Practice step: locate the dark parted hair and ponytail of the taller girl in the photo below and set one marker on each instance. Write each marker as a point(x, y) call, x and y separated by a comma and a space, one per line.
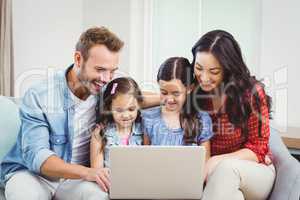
point(181, 69)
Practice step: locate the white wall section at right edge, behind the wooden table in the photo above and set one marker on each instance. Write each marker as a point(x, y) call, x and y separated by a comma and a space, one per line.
point(280, 45)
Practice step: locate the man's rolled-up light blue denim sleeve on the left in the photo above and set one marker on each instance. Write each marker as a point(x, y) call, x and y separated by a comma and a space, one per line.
point(34, 132)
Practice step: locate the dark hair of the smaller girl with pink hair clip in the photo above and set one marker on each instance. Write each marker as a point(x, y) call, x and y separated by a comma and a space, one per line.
point(123, 85)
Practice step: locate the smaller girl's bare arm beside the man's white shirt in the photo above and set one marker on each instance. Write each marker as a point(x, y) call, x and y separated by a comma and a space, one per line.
point(96, 150)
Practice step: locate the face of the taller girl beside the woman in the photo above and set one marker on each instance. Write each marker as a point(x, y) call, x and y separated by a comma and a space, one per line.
point(172, 94)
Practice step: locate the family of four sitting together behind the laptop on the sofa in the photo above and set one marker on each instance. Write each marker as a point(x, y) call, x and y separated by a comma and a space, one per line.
point(62, 150)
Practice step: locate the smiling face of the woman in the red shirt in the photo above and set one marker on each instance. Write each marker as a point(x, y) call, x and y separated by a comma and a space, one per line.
point(208, 71)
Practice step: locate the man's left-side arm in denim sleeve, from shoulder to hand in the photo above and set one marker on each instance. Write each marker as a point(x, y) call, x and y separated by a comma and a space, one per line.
point(36, 152)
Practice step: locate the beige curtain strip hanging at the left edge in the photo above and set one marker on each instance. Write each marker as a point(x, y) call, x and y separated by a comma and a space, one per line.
point(6, 49)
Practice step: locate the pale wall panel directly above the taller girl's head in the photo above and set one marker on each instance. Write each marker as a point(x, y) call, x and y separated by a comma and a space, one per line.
point(176, 27)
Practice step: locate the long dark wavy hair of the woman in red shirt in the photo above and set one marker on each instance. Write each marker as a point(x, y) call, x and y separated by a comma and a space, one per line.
point(236, 78)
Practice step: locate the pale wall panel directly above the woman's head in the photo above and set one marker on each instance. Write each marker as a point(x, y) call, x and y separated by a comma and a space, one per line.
point(242, 18)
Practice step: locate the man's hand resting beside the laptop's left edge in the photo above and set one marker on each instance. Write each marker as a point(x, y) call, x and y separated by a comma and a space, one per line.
point(100, 176)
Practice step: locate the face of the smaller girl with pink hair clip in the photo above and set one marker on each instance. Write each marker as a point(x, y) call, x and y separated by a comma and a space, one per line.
point(124, 110)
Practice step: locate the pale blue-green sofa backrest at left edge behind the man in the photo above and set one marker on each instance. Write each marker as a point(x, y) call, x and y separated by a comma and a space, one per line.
point(9, 124)
